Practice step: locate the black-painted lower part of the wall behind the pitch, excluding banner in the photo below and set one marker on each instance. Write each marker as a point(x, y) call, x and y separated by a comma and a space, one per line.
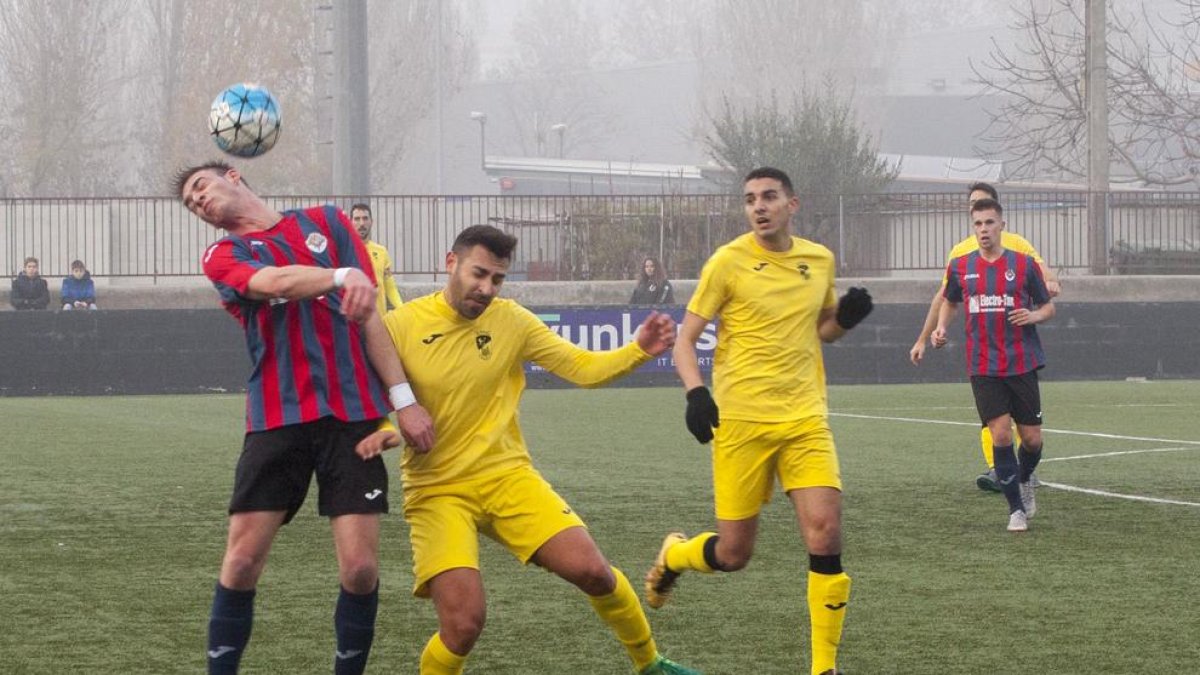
point(203, 351)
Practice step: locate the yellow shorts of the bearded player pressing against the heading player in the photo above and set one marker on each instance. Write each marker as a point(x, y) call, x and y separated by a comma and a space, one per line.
point(518, 509)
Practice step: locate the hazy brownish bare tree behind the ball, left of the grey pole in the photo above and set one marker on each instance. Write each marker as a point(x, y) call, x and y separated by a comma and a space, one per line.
point(190, 52)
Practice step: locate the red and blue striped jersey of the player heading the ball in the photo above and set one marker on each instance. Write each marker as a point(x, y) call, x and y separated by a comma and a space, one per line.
point(309, 361)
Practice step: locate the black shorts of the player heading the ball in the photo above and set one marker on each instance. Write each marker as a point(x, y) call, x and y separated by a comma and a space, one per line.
point(277, 468)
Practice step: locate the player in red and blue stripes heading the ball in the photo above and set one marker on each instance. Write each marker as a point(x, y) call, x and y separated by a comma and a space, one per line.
point(301, 285)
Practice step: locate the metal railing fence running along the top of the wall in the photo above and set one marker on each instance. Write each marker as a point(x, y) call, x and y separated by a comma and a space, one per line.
point(605, 238)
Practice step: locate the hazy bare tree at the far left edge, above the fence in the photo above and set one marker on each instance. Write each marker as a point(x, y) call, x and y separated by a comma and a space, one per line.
point(59, 70)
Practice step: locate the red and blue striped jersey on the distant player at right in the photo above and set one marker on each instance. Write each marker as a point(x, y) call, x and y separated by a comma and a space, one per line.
point(989, 291)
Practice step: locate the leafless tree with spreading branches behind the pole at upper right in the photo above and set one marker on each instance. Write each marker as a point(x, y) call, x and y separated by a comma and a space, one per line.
point(1154, 63)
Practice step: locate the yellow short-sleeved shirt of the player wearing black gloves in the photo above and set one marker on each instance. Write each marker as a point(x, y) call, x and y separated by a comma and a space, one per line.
point(769, 365)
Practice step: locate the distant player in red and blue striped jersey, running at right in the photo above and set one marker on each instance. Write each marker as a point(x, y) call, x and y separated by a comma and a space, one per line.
point(1006, 297)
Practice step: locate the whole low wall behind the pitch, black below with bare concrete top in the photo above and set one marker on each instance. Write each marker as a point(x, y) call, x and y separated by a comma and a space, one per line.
point(1107, 328)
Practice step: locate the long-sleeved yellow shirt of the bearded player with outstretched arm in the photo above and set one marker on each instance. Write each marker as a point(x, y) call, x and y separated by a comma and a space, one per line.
point(470, 377)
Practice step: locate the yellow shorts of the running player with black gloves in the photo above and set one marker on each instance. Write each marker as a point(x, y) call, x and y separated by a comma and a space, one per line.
point(748, 456)
